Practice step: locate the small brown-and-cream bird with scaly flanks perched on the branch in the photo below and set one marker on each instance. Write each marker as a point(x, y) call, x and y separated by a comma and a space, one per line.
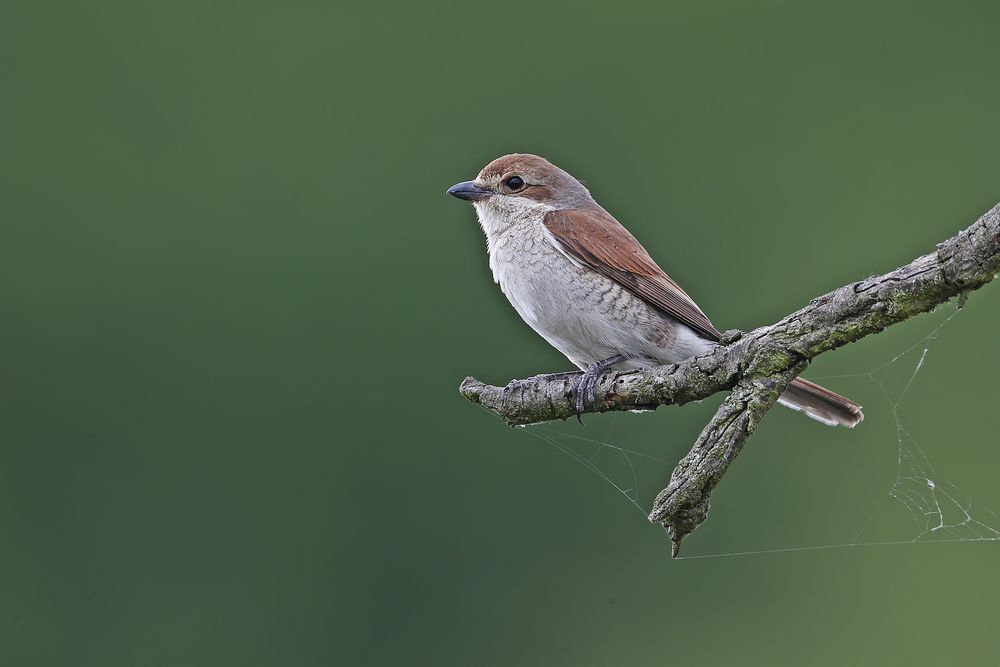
point(584, 283)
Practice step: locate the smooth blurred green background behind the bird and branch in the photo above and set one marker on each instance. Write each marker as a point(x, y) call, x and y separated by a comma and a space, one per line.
point(236, 306)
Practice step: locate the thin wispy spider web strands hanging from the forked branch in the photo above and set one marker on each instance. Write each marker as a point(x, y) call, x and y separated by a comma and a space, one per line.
point(938, 510)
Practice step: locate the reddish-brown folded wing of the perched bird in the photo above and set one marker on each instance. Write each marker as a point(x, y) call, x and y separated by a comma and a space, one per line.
point(595, 239)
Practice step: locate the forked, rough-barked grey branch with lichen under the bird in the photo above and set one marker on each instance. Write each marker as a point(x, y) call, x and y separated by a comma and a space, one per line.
point(756, 366)
